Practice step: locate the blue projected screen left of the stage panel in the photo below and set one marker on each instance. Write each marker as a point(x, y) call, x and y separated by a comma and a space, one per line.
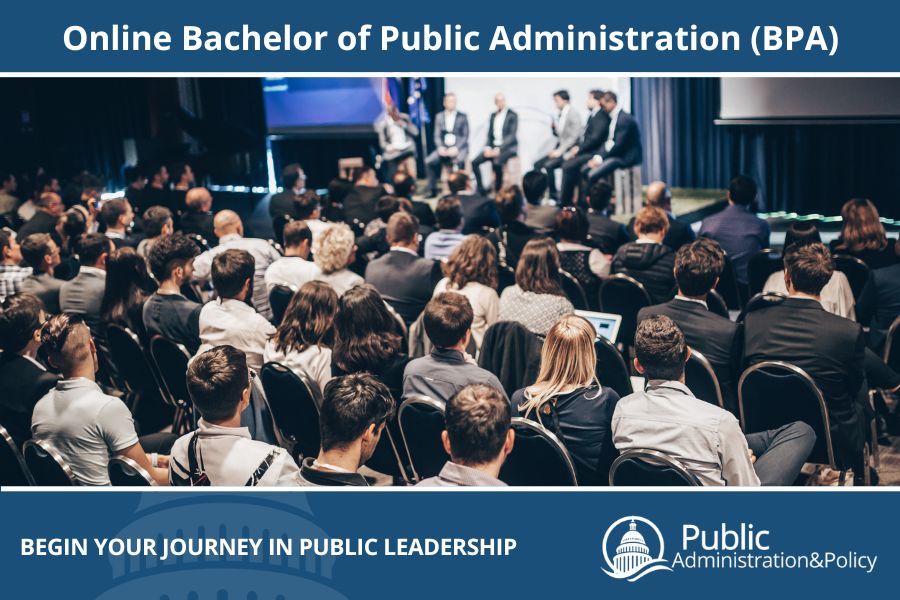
point(321, 105)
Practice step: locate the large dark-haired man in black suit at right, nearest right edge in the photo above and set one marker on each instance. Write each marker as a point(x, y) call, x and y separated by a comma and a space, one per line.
point(831, 349)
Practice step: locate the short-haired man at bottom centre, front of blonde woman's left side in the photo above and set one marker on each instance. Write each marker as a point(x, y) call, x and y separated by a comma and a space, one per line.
point(477, 436)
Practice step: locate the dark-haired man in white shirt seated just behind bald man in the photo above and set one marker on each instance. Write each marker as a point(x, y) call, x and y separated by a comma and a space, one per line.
point(229, 319)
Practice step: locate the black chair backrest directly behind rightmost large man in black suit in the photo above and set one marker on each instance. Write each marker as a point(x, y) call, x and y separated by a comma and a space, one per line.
point(774, 393)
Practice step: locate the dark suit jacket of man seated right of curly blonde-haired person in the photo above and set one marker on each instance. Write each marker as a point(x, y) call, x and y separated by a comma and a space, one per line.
point(406, 281)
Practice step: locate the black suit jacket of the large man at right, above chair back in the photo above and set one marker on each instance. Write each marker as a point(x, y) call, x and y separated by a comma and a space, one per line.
point(828, 347)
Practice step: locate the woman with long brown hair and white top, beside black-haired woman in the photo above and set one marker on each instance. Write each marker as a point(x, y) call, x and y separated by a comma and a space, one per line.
point(303, 341)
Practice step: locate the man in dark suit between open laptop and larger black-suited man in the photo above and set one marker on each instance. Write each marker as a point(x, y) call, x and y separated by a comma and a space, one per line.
point(698, 266)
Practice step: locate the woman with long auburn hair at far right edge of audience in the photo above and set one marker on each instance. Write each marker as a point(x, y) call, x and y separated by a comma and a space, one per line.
point(863, 235)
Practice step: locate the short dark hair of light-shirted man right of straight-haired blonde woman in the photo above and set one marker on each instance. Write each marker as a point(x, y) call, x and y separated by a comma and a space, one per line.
point(660, 347)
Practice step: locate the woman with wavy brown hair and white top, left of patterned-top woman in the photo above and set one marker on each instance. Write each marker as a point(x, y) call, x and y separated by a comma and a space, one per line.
point(472, 271)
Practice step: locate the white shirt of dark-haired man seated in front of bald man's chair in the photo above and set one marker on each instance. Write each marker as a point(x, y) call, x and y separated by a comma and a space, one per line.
point(234, 323)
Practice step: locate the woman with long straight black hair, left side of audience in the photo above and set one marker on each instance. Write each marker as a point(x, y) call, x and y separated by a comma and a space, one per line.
point(128, 285)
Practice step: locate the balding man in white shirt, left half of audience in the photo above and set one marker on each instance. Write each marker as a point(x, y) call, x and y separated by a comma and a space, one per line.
point(230, 231)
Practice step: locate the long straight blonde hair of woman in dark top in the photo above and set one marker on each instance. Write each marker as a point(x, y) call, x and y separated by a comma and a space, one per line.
point(568, 362)
